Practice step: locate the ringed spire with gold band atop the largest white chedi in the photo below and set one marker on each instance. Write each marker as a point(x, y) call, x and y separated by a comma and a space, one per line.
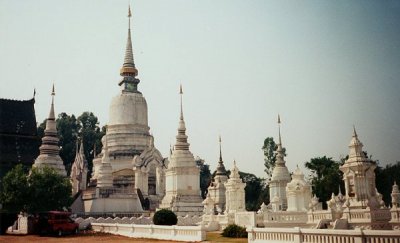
point(128, 70)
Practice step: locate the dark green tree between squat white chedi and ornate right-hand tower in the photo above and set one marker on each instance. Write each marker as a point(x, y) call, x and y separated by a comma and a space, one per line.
point(326, 177)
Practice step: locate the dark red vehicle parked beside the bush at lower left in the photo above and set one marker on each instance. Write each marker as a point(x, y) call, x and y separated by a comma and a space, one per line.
point(57, 222)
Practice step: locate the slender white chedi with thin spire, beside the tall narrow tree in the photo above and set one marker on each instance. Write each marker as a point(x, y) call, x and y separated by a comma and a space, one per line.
point(279, 179)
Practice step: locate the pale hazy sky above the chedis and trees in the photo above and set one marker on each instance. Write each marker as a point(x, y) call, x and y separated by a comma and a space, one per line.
point(323, 65)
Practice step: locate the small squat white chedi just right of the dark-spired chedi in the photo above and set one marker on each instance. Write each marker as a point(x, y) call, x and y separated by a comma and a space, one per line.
point(235, 196)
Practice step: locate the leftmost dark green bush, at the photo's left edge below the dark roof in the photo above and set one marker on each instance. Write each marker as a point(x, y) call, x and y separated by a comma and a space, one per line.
point(14, 194)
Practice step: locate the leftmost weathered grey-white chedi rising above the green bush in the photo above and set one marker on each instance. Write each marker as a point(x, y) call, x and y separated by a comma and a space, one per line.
point(49, 150)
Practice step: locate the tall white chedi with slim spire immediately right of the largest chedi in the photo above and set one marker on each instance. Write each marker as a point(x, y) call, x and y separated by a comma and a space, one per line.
point(182, 176)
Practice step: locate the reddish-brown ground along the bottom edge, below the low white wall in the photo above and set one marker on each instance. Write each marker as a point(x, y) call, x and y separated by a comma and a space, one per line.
point(101, 238)
